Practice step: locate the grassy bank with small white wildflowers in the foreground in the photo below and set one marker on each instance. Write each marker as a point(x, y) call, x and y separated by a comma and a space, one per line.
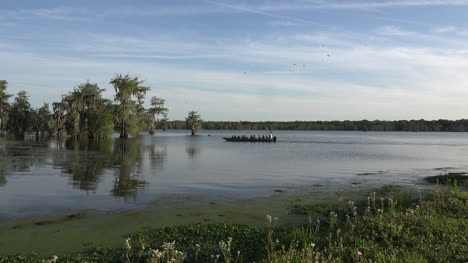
point(381, 229)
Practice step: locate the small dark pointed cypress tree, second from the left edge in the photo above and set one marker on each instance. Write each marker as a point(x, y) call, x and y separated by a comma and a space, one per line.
point(19, 121)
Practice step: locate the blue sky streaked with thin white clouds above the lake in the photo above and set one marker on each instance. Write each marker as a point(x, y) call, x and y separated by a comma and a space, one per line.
point(248, 60)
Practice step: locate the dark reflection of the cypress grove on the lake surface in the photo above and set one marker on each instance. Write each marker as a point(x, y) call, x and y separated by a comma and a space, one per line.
point(85, 162)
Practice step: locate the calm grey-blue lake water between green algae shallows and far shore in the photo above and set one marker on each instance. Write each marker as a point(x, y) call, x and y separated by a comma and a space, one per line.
point(50, 176)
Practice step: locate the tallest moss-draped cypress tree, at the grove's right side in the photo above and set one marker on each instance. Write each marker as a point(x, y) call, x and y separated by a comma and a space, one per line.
point(130, 95)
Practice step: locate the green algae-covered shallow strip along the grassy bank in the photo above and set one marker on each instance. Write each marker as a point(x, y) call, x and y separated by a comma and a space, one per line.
point(81, 230)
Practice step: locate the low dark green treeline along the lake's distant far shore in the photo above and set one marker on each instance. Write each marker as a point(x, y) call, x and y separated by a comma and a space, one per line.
point(363, 125)
